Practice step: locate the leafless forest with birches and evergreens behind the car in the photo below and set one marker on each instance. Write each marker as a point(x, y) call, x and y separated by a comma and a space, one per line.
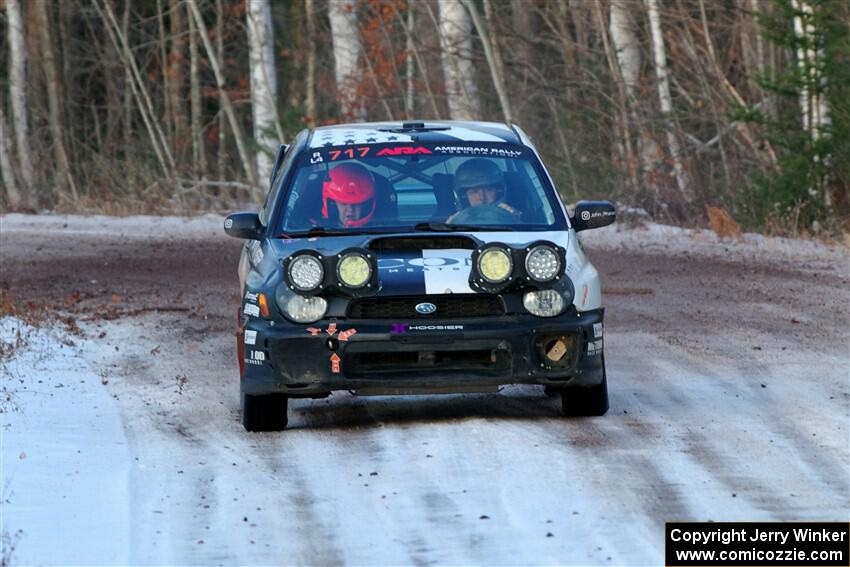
point(691, 112)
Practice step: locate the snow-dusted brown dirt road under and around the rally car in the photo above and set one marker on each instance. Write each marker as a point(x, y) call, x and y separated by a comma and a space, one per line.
point(728, 373)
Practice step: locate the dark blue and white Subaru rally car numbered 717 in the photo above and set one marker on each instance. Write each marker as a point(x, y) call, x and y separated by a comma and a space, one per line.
point(415, 257)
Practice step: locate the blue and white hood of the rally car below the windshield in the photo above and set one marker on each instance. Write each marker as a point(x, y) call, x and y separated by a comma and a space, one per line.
point(418, 272)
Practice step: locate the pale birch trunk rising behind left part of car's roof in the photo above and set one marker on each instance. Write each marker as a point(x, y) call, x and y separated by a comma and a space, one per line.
point(346, 47)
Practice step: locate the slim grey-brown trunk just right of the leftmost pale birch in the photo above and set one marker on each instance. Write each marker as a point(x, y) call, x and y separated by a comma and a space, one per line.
point(55, 113)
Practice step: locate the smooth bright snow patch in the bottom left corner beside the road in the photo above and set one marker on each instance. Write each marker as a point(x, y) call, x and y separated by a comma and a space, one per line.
point(63, 450)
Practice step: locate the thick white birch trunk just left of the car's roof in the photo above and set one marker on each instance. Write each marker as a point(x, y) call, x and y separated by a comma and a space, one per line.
point(263, 85)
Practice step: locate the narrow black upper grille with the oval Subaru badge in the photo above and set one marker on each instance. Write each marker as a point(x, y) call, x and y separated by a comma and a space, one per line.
point(450, 306)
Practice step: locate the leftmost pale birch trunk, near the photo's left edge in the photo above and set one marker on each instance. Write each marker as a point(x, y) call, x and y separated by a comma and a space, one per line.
point(18, 97)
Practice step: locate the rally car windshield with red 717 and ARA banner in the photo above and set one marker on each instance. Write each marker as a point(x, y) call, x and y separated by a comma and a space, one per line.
point(427, 187)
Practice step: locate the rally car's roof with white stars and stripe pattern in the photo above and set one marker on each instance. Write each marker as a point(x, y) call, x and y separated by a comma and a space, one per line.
point(431, 131)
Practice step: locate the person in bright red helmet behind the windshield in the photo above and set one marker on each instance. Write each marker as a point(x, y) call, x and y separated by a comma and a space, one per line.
point(348, 195)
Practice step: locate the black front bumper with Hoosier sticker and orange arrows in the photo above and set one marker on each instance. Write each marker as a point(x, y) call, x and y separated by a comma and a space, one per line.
point(428, 355)
